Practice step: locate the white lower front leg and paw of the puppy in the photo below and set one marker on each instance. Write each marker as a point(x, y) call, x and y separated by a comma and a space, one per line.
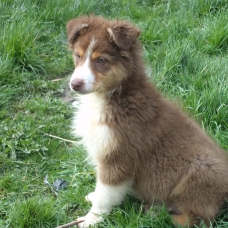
point(104, 198)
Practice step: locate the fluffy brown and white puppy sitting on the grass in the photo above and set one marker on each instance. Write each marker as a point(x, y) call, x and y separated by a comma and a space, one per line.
point(138, 141)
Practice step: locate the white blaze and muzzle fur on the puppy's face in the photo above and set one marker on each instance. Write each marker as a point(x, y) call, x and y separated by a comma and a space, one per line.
point(84, 72)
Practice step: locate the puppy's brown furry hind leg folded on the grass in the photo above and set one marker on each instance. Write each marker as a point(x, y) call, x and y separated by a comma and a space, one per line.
point(197, 199)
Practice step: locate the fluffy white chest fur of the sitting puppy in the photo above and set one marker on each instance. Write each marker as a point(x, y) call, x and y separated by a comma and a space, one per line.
point(97, 137)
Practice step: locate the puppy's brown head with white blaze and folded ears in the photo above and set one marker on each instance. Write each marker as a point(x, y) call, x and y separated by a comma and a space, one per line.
point(102, 52)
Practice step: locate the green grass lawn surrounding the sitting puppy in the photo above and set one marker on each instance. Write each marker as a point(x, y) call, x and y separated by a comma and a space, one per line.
point(185, 49)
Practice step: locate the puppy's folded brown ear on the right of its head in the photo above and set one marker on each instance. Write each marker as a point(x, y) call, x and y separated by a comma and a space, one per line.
point(123, 34)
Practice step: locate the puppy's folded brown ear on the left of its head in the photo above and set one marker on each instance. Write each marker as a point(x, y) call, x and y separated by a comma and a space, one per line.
point(74, 28)
